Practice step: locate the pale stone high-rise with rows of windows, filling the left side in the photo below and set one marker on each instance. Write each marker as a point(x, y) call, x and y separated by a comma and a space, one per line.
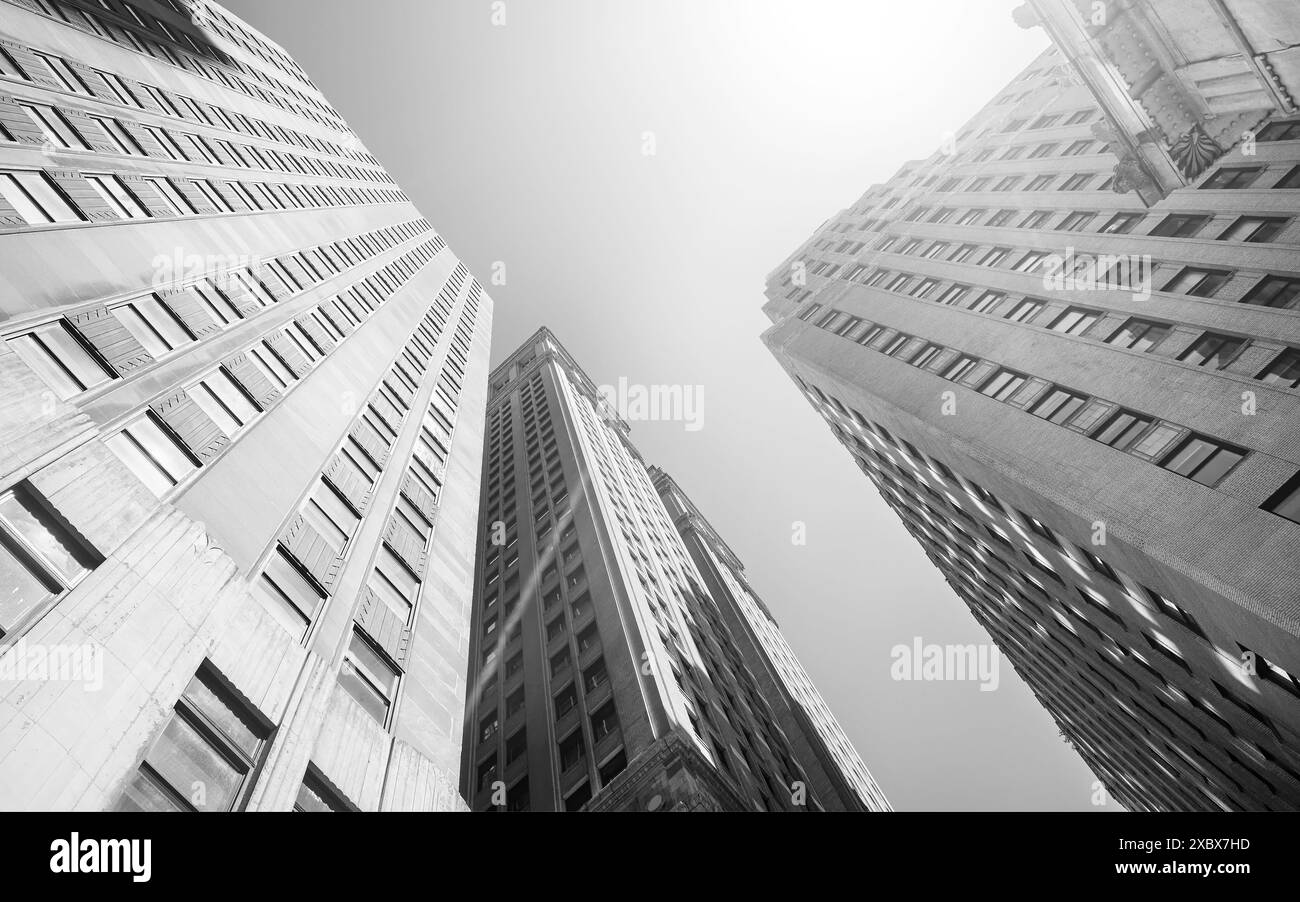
point(241, 427)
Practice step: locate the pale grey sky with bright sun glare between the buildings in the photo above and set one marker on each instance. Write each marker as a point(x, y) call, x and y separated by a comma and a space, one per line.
point(635, 170)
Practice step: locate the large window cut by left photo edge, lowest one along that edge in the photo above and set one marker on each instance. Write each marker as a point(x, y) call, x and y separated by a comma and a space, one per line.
point(40, 557)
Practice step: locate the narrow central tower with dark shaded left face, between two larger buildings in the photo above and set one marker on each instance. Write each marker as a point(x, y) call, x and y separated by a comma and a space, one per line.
point(614, 673)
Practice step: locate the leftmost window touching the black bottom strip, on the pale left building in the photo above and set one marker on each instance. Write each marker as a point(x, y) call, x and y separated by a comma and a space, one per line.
point(213, 741)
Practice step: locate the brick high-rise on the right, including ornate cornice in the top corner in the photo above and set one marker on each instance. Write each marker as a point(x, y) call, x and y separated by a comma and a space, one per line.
point(1065, 349)
